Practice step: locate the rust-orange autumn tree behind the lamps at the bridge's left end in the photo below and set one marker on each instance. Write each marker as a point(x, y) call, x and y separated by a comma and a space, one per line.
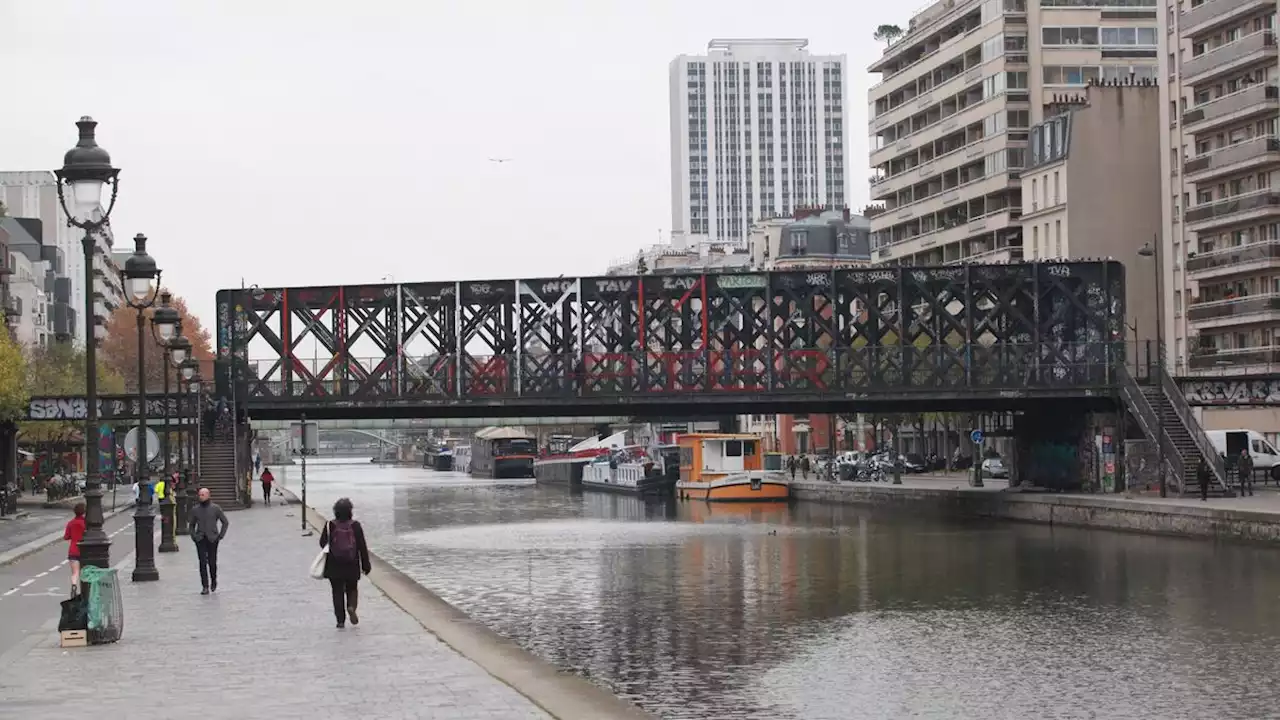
point(121, 348)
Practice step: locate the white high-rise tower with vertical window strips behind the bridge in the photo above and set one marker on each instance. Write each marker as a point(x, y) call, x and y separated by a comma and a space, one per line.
point(757, 130)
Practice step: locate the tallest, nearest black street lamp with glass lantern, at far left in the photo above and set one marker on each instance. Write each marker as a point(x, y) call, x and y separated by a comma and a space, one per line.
point(86, 170)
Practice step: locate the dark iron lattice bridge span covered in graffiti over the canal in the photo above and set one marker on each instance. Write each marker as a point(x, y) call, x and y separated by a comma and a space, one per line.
point(944, 338)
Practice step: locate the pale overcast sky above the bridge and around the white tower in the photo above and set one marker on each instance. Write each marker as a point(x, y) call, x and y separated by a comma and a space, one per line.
point(323, 143)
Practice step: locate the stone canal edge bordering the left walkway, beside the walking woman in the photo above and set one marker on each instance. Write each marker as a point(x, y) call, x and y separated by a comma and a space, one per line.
point(561, 695)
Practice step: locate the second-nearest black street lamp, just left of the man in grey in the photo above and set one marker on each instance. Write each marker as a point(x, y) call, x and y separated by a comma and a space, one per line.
point(143, 280)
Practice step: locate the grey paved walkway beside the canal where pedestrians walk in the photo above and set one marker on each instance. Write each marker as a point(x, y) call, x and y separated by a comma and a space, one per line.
point(263, 646)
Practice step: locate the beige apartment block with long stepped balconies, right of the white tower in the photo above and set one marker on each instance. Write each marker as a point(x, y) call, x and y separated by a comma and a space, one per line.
point(952, 117)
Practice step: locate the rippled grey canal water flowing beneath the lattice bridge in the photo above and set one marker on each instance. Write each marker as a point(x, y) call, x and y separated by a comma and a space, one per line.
point(717, 613)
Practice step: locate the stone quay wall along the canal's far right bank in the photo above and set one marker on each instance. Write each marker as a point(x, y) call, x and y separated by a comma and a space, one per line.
point(1240, 520)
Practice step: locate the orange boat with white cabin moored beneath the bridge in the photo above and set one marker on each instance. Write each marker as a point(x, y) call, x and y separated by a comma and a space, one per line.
point(721, 467)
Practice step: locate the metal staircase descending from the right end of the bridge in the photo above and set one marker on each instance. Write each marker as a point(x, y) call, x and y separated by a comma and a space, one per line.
point(1162, 411)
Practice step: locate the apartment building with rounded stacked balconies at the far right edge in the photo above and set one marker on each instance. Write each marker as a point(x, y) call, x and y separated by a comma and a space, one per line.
point(1223, 208)
